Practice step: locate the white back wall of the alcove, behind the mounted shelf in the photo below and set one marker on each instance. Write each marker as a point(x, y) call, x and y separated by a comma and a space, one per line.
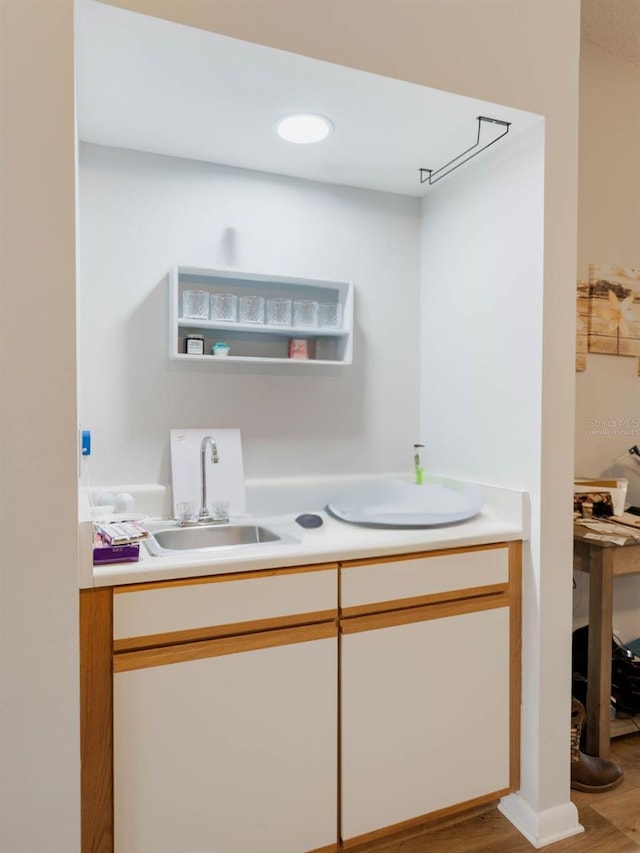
point(139, 215)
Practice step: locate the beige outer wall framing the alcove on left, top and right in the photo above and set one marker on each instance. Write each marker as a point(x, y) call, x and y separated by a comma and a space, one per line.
point(520, 52)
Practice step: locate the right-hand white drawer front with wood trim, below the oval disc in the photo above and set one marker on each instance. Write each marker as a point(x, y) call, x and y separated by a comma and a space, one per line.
point(423, 576)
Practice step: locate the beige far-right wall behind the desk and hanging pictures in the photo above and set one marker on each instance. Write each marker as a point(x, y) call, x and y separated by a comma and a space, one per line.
point(608, 217)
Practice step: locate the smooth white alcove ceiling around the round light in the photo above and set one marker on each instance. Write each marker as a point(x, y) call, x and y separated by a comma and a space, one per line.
point(152, 85)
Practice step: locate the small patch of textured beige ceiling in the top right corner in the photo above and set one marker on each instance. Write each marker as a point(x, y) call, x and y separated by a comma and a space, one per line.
point(614, 25)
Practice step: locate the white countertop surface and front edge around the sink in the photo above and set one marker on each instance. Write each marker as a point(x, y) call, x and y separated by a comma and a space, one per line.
point(335, 540)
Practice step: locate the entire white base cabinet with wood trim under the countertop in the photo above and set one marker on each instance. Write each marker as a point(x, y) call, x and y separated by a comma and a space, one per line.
point(244, 723)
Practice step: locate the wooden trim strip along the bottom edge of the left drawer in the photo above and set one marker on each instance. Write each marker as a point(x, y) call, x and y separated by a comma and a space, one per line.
point(191, 635)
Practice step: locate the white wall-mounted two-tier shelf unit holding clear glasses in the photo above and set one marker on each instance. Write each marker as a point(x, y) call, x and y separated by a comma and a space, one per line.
point(260, 341)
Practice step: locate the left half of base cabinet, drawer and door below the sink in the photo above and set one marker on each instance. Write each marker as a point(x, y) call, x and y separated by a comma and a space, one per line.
point(224, 710)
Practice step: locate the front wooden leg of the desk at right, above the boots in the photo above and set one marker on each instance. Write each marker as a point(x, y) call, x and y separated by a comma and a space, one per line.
point(598, 721)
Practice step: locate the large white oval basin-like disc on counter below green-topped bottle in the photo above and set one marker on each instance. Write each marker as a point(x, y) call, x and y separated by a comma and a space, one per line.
point(398, 502)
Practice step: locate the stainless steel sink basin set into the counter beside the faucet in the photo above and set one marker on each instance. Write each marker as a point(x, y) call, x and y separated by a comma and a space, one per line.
point(207, 537)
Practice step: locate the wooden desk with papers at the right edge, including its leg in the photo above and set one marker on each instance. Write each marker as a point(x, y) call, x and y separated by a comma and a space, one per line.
point(602, 561)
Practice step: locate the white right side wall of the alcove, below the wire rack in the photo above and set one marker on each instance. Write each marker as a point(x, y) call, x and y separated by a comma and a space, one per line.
point(481, 317)
